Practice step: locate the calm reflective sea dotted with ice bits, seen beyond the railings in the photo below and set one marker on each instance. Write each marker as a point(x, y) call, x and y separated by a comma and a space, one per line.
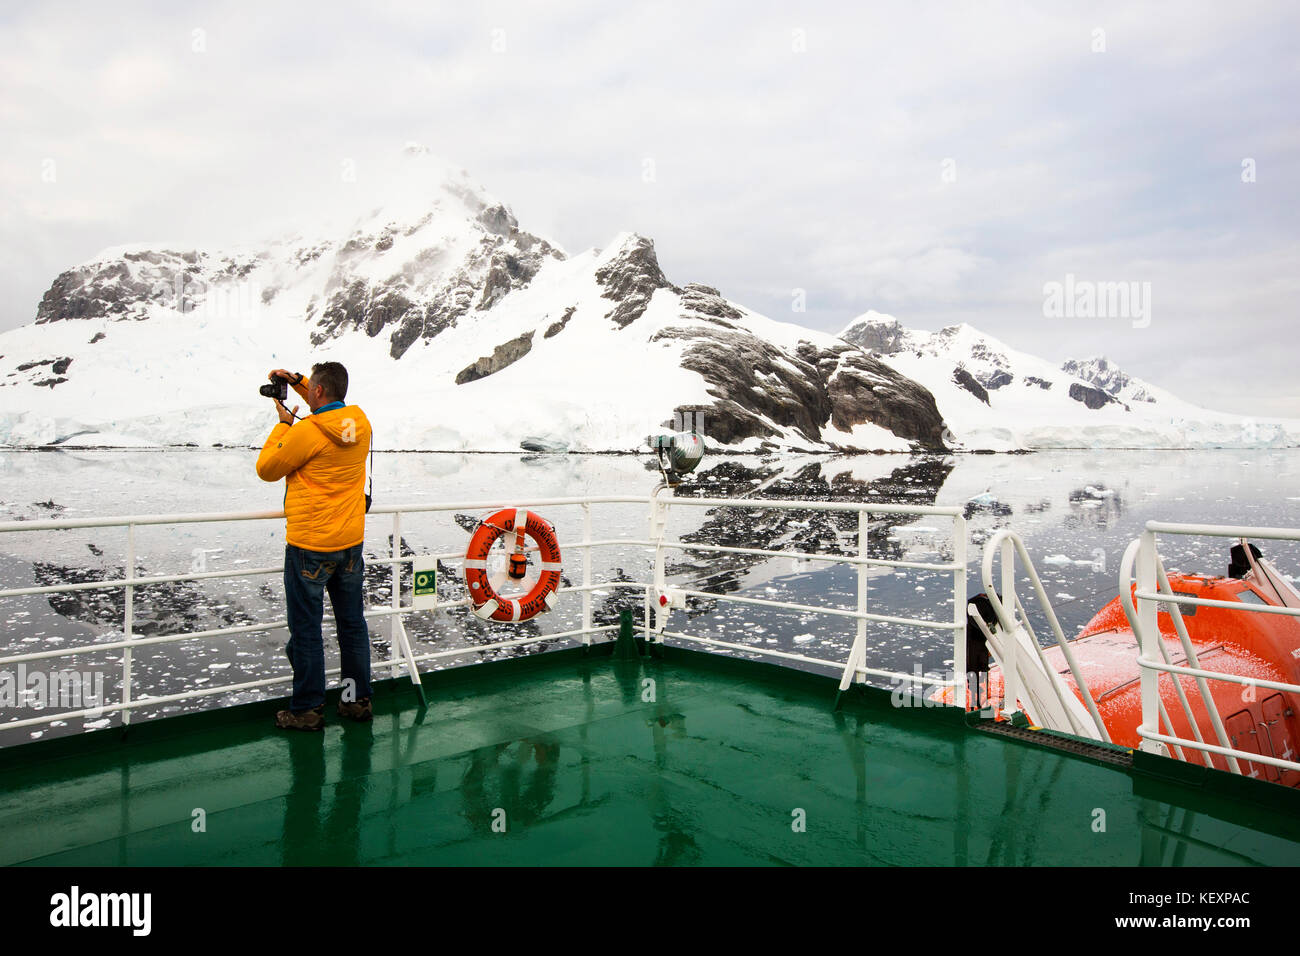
point(1077, 512)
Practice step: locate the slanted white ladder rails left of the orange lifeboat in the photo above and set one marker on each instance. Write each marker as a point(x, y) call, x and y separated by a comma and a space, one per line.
point(1028, 677)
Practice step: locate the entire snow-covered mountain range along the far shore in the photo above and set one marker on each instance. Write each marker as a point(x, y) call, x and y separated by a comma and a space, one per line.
point(462, 331)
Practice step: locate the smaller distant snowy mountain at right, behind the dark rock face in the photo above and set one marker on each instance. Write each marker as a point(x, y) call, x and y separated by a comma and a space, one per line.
point(995, 397)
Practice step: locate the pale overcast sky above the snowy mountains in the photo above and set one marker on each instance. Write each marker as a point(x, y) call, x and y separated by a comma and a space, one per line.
point(938, 162)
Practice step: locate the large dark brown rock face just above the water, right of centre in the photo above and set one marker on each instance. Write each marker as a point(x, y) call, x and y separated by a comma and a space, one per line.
point(761, 388)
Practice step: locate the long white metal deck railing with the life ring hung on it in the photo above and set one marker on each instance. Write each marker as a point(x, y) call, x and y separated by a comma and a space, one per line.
point(402, 654)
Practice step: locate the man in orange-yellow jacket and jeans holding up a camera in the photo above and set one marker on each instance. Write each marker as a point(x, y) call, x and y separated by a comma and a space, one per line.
point(323, 460)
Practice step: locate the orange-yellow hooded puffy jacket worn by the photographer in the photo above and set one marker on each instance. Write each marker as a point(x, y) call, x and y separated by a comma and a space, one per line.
point(324, 460)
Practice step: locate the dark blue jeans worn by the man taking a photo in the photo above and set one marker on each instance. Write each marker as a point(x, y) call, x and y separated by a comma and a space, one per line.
point(307, 577)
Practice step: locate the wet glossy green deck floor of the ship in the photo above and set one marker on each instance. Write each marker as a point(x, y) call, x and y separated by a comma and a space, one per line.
point(564, 751)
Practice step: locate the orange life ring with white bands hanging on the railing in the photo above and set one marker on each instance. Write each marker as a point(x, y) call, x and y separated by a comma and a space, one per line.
point(488, 604)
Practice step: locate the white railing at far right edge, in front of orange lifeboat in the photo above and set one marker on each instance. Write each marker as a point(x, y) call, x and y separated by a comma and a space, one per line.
point(1142, 600)
